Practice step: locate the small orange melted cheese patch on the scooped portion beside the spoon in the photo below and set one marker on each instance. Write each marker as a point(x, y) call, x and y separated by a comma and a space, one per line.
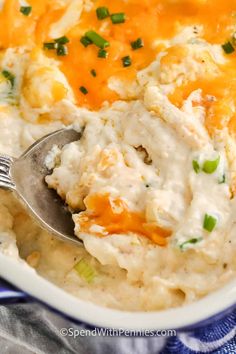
point(114, 217)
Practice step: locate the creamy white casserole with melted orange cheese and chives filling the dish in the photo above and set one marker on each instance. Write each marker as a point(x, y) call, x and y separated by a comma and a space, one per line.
point(151, 183)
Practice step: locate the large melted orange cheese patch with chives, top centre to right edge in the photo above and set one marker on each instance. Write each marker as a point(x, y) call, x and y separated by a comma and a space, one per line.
point(149, 20)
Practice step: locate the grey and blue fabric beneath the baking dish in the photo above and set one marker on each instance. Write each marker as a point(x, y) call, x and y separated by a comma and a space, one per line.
point(31, 328)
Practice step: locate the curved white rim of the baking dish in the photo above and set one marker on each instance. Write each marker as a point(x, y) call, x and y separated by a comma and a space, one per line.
point(18, 273)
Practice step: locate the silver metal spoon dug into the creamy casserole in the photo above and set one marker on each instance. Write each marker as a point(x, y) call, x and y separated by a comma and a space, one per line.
point(26, 176)
